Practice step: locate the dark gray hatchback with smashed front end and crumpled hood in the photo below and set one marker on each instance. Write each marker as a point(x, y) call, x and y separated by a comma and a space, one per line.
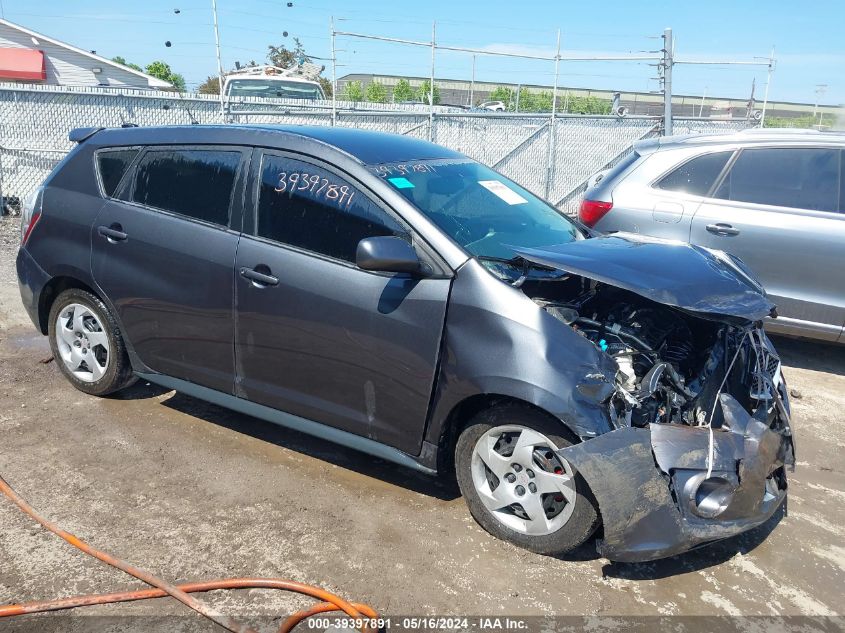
point(398, 298)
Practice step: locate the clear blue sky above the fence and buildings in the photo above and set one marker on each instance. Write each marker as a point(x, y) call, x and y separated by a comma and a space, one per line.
point(810, 47)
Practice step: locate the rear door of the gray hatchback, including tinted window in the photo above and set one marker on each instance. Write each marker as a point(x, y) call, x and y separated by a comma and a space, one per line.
point(163, 252)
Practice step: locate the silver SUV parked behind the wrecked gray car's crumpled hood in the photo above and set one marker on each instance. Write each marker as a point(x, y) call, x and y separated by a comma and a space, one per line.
point(775, 199)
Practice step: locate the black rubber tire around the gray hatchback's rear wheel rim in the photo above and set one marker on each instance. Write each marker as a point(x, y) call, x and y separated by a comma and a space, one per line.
point(118, 373)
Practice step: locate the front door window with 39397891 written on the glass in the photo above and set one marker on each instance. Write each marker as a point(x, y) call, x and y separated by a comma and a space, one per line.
point(309, 207)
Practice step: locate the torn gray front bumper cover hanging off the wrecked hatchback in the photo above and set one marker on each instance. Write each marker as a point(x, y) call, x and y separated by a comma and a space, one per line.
point(653, 489)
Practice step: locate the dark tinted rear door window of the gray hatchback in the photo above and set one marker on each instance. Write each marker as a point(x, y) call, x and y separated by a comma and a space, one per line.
point(196, 183)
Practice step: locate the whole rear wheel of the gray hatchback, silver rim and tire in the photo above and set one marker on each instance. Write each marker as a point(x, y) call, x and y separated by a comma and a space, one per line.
point(87, 343)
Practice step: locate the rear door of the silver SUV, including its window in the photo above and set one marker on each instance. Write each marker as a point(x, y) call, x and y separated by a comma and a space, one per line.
point(780, 210)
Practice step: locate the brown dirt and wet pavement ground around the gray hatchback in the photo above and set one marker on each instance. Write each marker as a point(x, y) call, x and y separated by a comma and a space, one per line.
point(191, 491)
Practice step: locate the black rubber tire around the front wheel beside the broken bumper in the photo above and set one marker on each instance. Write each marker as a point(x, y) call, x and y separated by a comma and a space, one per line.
point(585, 516)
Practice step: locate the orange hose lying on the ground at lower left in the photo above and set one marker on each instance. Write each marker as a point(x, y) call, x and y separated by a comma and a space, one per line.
point(162, 588)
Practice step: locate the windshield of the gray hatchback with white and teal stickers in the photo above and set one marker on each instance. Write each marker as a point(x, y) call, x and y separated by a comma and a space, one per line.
point(484, 212)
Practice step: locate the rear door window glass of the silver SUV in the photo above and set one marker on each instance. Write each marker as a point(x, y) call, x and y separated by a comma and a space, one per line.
point(802, 178)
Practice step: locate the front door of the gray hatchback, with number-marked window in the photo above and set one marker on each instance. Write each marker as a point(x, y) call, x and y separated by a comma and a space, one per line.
point(317, 336)
